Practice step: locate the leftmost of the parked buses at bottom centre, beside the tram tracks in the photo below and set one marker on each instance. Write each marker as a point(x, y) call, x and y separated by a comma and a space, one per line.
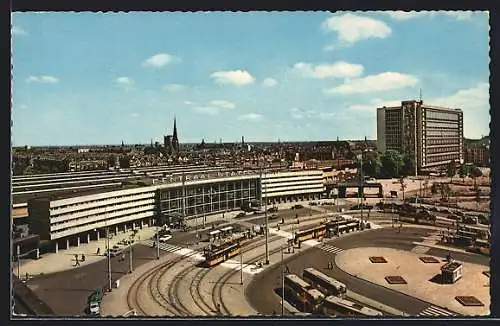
point(303, 292)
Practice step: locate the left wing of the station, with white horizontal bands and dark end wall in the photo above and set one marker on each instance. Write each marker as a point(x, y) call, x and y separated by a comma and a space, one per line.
point(86, 217)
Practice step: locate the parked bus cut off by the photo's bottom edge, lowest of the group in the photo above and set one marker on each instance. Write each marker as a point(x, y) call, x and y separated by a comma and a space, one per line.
point(335, 306)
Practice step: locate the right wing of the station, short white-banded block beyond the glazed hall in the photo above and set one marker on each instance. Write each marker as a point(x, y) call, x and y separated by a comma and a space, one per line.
point(293, 185)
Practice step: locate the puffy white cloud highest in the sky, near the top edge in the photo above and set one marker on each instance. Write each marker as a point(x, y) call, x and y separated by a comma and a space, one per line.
point(352, 28)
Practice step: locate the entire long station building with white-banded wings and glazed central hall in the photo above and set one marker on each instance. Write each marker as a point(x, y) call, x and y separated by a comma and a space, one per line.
point(70, 221)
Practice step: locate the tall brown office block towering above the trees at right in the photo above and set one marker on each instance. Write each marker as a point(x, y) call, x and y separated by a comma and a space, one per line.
point(432, 135)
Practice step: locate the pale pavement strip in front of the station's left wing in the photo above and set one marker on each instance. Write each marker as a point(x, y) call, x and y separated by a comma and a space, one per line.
point(65, 260)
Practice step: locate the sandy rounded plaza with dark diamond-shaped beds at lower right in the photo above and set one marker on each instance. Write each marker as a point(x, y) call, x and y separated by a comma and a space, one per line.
point(418, 275)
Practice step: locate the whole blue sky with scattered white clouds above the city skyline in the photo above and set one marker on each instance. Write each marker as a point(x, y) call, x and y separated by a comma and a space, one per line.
point(92, 78)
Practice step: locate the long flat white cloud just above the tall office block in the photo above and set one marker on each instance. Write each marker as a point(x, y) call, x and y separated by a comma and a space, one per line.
point(376, 83)
